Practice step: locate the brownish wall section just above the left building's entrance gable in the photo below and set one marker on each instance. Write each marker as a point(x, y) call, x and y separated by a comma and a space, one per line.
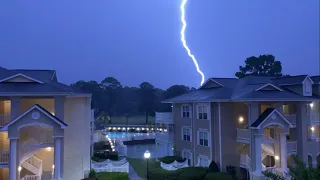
point(27, 103)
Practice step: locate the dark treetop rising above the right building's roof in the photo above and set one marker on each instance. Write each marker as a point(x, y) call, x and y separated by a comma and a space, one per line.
point(264, 65)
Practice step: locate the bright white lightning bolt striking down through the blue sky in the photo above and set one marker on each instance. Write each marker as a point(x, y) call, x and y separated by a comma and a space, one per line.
point(183, 39)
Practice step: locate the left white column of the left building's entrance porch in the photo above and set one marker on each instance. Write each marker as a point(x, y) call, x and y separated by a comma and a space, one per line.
point(13, 160)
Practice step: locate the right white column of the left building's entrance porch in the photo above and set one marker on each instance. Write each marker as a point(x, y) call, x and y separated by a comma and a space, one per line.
point(57, 158)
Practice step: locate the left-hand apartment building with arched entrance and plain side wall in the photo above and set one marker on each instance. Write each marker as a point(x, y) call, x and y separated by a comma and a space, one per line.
point(45, 127)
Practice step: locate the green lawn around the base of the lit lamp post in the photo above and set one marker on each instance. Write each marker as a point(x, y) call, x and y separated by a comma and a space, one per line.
point(140, 166)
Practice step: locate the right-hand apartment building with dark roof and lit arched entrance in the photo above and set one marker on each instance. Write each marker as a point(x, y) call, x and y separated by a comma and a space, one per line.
point(256, 122)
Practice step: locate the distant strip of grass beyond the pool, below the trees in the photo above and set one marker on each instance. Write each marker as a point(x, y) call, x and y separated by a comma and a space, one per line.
point(138, 120)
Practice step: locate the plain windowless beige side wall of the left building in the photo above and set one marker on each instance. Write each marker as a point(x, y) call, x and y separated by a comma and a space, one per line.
point(76, 137)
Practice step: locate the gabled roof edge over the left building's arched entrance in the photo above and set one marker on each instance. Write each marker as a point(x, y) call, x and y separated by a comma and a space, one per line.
point(43, 111)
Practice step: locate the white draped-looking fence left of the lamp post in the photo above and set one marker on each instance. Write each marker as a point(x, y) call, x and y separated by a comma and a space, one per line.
point(111, 166)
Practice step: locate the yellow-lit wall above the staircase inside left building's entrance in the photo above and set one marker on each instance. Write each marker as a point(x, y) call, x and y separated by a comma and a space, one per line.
point(47, 156)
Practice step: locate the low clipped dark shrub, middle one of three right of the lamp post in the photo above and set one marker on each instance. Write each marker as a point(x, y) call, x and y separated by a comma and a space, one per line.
point(193, 173)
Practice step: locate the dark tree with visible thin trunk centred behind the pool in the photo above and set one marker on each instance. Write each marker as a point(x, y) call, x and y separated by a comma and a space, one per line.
point(147, 103)
